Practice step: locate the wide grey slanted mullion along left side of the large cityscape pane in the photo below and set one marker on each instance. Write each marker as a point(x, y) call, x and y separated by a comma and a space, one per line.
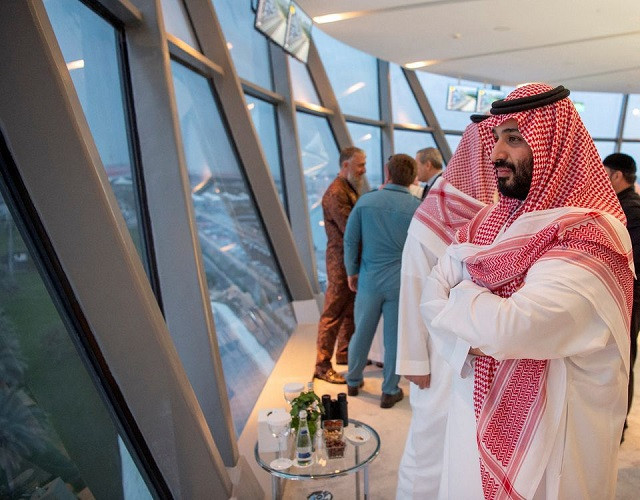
point(181, 274)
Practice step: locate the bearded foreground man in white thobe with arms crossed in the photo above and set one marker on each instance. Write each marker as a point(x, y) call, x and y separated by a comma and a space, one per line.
point(530, 307)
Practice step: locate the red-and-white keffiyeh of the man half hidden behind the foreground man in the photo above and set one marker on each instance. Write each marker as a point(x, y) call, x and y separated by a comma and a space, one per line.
point(467, 185)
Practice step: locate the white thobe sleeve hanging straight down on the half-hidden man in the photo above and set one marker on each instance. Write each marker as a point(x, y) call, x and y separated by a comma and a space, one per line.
point(413, 355)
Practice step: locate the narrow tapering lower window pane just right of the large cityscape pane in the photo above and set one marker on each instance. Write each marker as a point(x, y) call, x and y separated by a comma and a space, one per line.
point(264, 119)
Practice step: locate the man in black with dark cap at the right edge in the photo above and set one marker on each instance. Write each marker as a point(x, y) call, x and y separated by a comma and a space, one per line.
point(622, 173)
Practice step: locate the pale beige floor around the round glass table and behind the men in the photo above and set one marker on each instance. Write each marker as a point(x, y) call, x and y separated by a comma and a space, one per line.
point(296, 363)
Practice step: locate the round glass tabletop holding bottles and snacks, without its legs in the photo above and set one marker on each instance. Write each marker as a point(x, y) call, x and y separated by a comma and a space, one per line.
point(362, 445)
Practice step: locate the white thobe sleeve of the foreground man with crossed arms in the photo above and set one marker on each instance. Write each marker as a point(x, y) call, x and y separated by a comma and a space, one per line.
point(549, 317)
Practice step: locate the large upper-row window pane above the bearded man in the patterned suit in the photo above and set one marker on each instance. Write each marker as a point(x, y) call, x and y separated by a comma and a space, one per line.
point(356, 89)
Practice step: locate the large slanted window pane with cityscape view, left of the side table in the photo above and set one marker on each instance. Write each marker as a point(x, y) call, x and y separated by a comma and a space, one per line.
point(251, 307)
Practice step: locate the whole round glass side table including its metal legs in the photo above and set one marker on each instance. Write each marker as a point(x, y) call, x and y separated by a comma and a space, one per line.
point(356, 458)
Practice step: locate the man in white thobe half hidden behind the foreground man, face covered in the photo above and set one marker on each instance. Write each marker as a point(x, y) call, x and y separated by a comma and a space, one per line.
point(465, 187)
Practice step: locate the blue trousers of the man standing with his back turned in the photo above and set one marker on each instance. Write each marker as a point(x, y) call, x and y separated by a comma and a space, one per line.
point(370, 304)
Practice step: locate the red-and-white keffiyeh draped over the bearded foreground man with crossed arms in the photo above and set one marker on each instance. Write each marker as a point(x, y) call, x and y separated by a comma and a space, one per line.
point(510, 395)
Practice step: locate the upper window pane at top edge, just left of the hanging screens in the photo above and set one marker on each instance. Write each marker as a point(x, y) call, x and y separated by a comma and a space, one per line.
point(249, 48)
